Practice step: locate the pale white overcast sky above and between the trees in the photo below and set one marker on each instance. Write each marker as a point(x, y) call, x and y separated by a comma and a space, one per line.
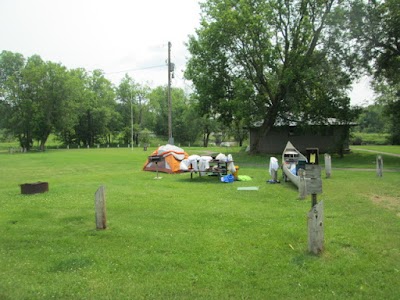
point(118, 36)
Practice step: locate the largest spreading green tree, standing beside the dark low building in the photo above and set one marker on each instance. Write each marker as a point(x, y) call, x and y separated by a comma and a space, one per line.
point(272, 59)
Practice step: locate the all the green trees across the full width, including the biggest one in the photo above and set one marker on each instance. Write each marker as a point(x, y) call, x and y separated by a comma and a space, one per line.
point(274, 61)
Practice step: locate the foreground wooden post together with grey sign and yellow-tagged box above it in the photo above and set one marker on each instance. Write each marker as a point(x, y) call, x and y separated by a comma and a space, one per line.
point(316, 214)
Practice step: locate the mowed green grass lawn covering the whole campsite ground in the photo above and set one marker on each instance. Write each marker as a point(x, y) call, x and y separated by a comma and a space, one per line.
point(182, 238)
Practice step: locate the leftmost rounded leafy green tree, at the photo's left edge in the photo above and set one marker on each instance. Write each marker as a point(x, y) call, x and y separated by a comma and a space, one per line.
point(35, 97)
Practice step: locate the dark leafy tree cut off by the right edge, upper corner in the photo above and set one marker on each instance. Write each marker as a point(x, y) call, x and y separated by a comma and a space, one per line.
point(376, 32)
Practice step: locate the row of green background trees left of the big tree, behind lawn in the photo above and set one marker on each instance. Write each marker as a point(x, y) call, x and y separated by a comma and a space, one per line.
point(39, 98)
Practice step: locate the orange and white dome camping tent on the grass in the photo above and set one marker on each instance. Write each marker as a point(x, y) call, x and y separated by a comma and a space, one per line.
point(166, 159)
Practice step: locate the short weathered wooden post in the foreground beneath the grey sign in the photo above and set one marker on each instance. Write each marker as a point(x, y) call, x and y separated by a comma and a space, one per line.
point(316, 228)
